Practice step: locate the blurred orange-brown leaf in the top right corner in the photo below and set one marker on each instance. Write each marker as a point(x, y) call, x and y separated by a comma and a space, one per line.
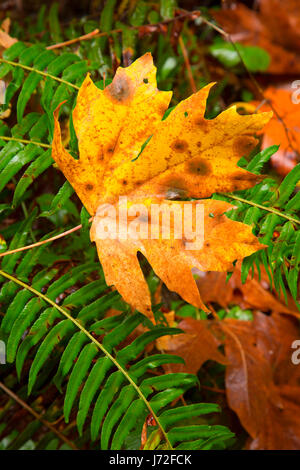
point(275, 28)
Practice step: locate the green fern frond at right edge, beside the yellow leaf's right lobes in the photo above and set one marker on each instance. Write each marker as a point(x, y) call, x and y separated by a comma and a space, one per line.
point(273, 211)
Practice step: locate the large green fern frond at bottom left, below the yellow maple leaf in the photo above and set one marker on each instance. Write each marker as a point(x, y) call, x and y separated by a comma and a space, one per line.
point(117, 407)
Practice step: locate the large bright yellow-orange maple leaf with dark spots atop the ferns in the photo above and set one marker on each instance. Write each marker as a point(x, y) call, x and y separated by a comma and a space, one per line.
point(187, 156)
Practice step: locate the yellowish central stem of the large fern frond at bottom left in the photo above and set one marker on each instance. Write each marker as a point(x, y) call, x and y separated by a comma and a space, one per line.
point(99, 346)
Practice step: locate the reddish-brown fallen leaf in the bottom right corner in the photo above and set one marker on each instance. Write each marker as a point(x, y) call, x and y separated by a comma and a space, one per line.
point(262, 384)
